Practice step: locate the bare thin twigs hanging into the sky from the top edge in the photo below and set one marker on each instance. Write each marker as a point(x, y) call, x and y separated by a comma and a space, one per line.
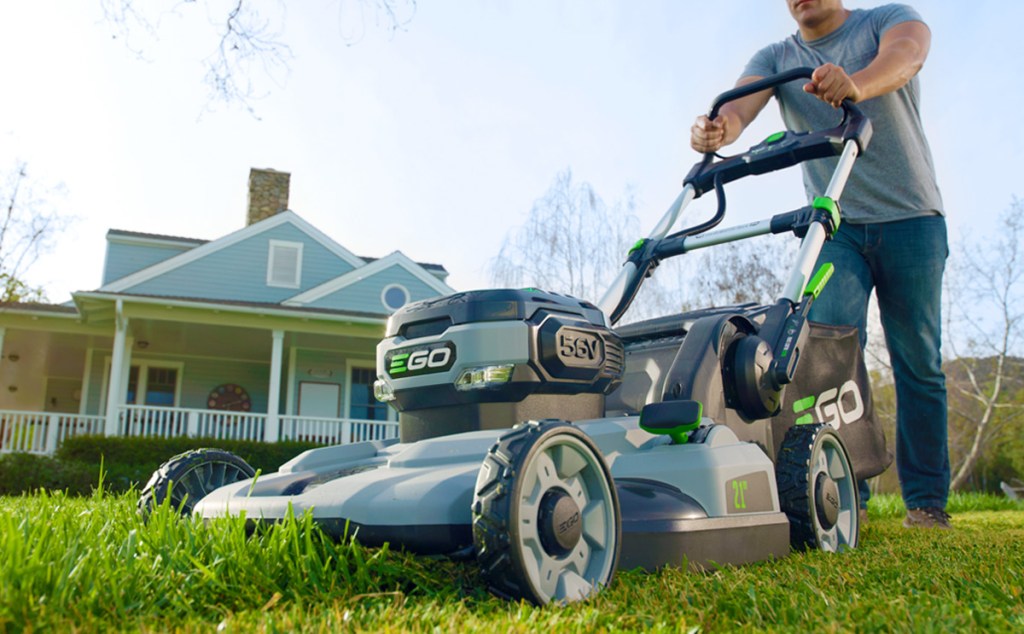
point(245, 36)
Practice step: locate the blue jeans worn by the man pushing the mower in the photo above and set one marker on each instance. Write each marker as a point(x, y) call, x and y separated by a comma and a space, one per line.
point(904, 263)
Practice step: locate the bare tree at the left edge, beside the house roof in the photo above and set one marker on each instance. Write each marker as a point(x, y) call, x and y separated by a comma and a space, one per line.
point(28, 228)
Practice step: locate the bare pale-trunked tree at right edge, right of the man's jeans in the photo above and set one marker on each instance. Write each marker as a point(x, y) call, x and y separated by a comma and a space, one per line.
point(986, 332)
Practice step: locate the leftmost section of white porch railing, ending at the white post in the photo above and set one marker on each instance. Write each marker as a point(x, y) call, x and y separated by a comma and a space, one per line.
point(42, 433)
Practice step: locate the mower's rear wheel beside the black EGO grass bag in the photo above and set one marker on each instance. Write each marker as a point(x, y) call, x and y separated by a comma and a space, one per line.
point(818, 489)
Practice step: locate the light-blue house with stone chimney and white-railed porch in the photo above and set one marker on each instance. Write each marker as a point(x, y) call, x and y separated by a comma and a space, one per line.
point(267, 333)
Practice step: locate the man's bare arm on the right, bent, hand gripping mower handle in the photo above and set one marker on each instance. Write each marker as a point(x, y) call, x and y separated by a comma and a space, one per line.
point(903, 52)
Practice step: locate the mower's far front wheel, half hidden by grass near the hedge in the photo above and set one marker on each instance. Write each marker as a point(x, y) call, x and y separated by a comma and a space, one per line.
point(189, 478)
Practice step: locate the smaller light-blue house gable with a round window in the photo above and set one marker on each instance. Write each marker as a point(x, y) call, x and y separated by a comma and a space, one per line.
point(373, 287)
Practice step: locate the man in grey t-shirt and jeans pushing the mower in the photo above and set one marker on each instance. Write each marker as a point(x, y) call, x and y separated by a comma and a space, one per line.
point(893, 236)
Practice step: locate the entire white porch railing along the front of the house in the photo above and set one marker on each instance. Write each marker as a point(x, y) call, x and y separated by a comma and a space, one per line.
point(39, 433)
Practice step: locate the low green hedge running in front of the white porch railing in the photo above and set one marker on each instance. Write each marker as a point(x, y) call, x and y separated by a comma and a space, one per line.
point(126, 462)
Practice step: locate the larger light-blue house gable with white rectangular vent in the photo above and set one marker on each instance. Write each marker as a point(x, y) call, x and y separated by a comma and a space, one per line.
point(236, 267)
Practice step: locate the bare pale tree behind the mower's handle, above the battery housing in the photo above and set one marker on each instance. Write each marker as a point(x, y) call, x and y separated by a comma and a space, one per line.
point(574, 243)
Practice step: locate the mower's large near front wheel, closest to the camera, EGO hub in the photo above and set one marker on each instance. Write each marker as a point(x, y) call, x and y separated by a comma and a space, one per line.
point(546, 523)
